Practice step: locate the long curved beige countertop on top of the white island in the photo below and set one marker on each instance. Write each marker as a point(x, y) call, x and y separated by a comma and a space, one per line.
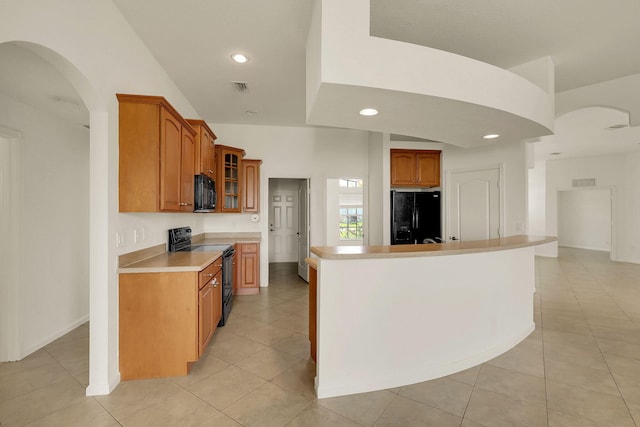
point(434, 249)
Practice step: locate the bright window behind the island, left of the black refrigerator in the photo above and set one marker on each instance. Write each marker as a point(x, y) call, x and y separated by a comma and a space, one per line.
point(351, 210)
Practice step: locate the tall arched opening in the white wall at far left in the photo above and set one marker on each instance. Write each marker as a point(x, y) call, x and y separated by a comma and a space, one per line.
point(44, 127)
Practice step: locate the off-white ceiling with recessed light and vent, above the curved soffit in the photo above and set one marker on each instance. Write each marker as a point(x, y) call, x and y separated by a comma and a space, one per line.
point(589, 42)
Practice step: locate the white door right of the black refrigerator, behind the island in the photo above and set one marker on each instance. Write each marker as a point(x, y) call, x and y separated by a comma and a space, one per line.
point(474, 205)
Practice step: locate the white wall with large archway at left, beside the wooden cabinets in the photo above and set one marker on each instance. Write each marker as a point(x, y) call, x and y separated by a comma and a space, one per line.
point(92, 45)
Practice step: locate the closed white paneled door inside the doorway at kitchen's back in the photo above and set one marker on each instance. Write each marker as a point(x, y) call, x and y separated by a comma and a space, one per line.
point(283, 226)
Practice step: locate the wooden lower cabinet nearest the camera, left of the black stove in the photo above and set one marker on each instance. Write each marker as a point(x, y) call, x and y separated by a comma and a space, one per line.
point(166, 320)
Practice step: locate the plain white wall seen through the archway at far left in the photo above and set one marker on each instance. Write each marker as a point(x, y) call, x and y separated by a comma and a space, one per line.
point(54, 234)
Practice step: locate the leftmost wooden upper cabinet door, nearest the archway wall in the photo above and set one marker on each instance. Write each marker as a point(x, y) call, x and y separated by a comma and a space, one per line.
point(170, 161)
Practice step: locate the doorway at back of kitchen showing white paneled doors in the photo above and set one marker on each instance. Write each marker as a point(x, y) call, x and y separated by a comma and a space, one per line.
point(289, 222)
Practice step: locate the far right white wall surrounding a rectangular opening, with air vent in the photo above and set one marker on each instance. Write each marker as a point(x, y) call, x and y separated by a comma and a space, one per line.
point(621, 172)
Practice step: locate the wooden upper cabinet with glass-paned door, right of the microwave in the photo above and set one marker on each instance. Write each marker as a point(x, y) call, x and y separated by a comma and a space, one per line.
point(229, 178)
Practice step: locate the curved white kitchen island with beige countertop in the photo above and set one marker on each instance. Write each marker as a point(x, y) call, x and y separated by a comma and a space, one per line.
point(389, 316)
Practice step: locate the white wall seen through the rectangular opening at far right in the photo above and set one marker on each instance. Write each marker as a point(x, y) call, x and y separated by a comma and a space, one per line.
point(584, 219)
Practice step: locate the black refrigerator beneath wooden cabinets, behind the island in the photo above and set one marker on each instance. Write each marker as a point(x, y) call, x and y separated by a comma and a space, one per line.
point(415, 217)
